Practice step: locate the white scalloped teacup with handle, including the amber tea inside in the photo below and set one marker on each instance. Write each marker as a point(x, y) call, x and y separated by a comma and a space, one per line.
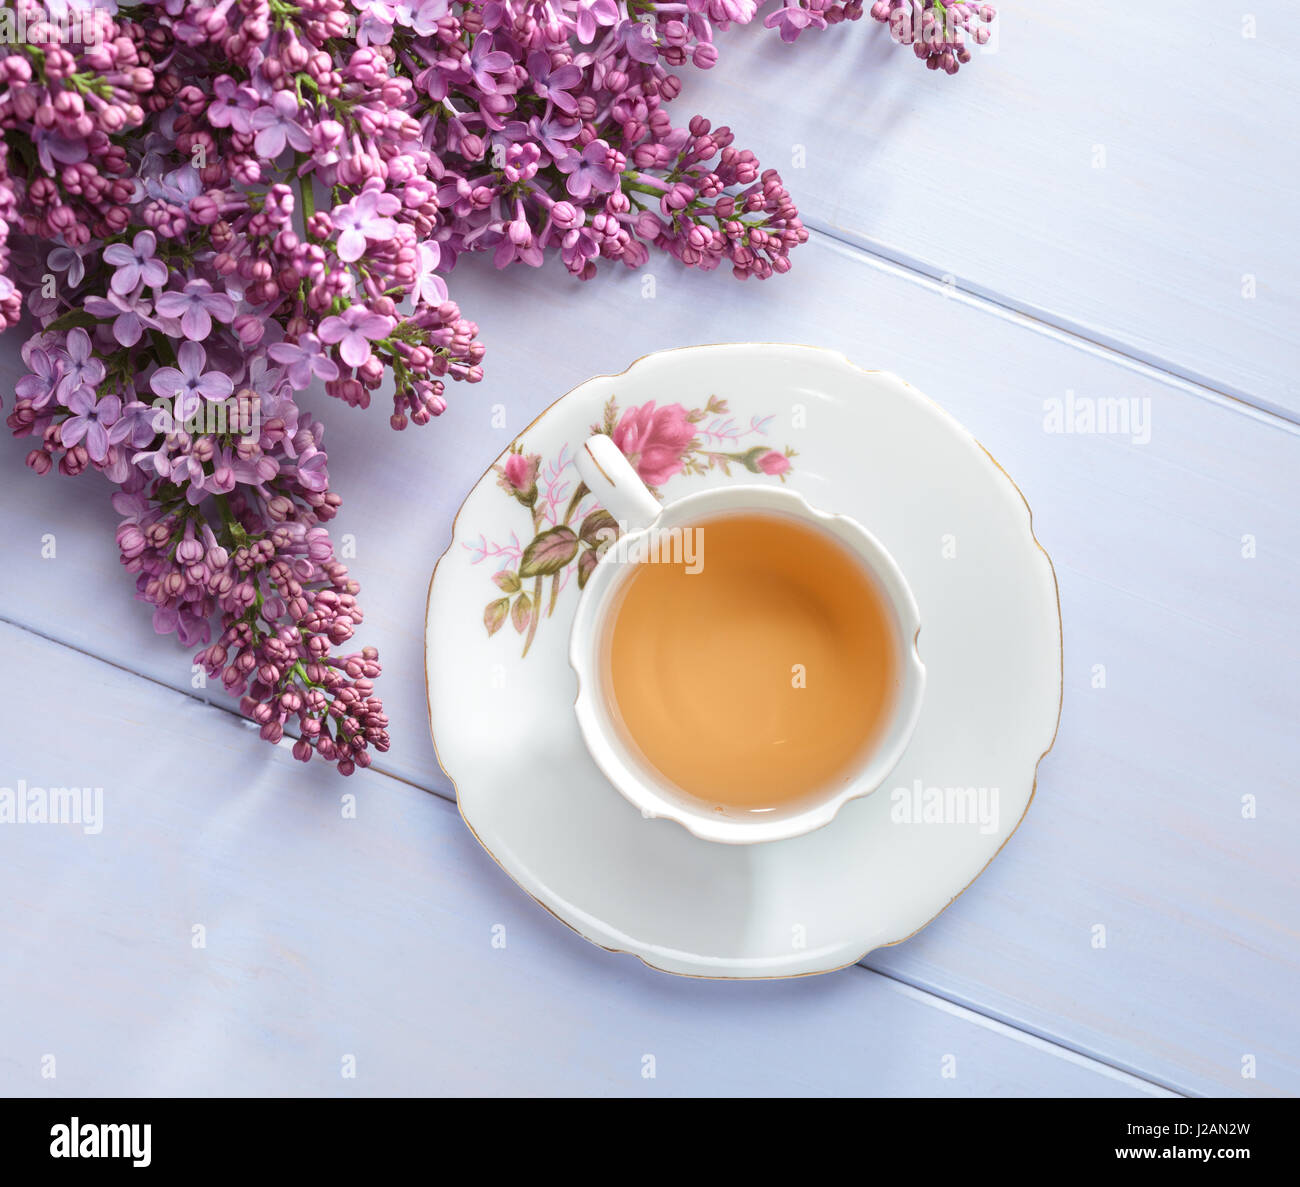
point(790, 584)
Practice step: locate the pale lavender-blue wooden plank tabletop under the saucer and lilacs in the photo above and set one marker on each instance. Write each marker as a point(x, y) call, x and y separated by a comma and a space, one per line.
point(1106, 207)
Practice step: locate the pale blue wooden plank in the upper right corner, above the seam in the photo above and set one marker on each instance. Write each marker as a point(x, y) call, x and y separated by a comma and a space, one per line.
point(1112, 171)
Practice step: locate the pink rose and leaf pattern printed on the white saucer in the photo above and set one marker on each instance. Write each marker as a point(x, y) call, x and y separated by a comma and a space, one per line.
point(571, 531)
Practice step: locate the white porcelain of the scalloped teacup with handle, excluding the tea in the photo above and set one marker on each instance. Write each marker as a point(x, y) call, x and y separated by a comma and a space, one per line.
point(617, 486)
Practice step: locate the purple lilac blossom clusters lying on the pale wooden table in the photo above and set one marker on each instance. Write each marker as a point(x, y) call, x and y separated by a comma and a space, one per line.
point(279, 197)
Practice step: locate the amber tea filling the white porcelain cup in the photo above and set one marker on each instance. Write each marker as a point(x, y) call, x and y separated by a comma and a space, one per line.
point(761, 673)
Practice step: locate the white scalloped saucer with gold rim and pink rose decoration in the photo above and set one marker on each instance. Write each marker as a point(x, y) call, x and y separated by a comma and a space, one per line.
point(501, 690)
